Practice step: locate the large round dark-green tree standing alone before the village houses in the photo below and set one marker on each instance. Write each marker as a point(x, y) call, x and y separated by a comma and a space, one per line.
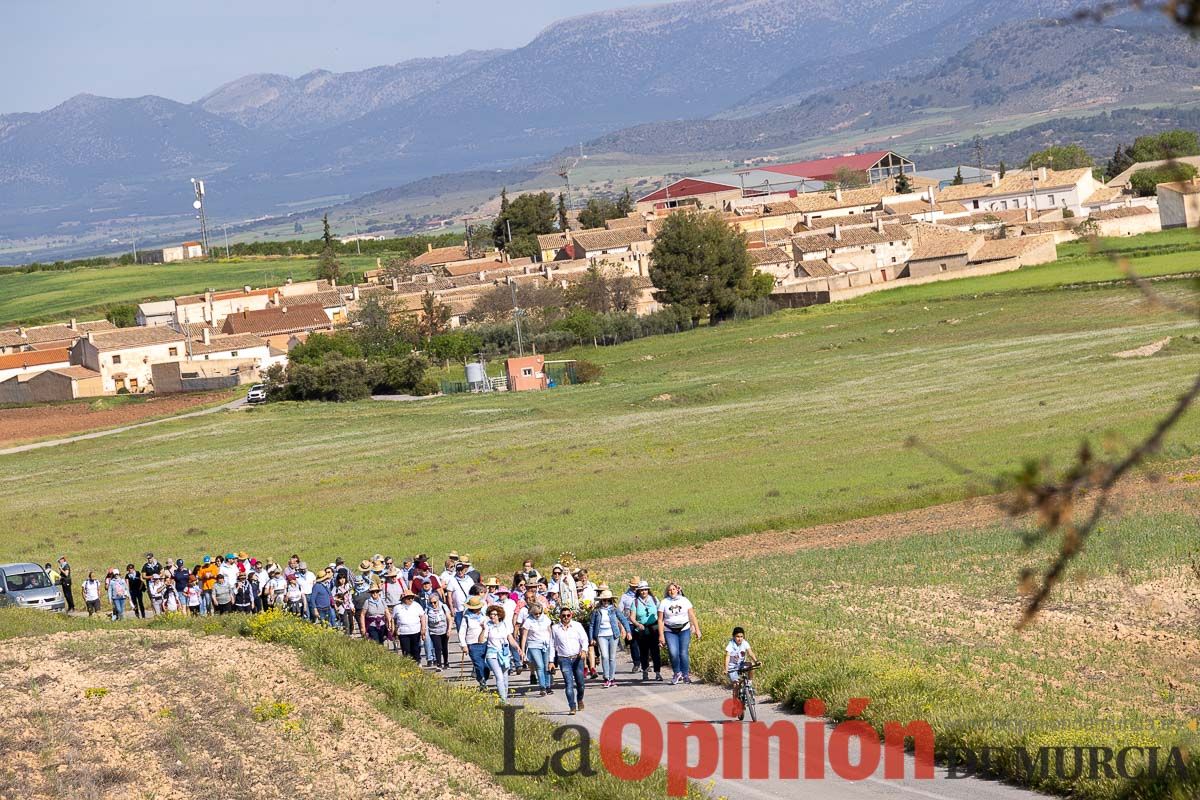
point(701, 264)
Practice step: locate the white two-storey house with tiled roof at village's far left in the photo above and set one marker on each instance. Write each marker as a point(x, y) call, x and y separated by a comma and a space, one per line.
point(124, 357)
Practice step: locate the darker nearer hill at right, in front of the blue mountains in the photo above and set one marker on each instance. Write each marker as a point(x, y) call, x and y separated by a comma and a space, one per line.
point(1045, 67)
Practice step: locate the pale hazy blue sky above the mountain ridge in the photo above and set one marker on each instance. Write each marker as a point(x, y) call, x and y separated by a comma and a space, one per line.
point(185, 49)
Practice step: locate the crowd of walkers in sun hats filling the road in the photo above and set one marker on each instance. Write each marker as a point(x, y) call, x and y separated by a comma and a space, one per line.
point(561, 623)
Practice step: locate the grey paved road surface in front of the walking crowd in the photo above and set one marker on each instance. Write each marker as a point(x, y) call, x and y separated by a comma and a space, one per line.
point(699, 702)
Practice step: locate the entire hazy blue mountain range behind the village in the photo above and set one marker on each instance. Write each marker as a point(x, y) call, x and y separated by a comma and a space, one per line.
point(694, 76)
